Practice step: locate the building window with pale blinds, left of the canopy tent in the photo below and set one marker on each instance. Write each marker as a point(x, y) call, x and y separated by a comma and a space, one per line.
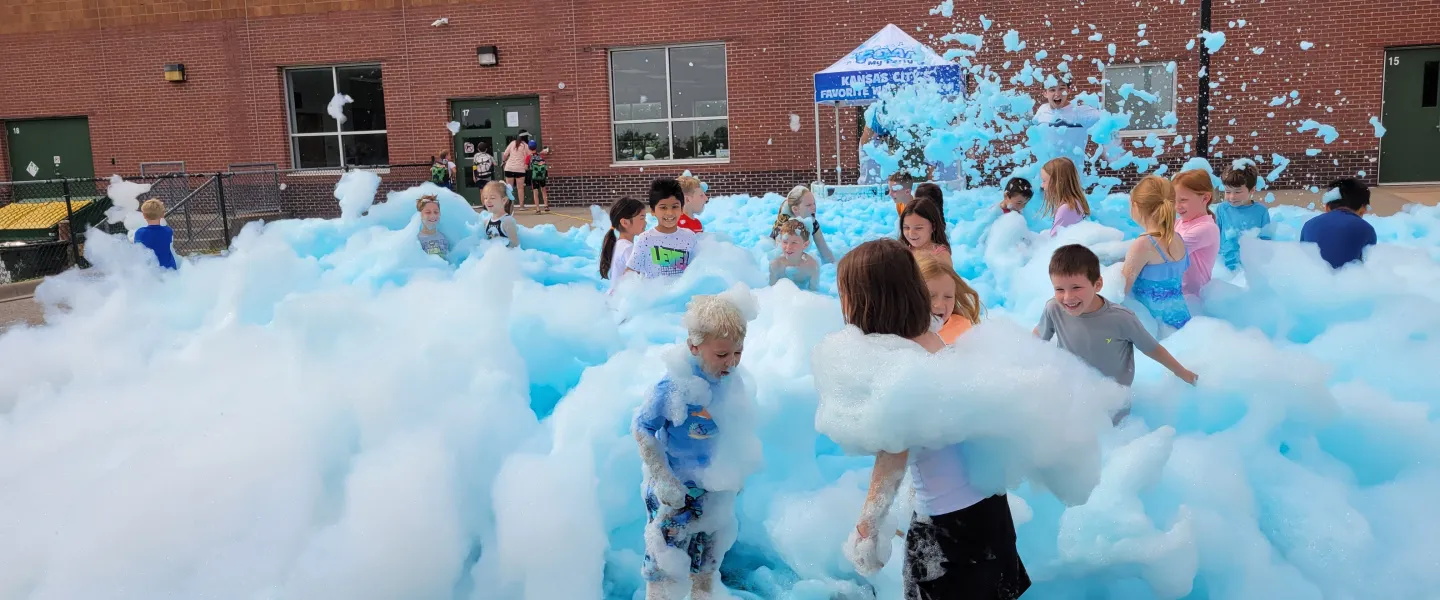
point(670, 104)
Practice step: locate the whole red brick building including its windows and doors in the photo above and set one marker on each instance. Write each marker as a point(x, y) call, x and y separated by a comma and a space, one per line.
point(591, 80)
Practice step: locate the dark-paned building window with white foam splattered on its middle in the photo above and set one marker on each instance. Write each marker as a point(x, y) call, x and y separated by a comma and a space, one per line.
point(316, 139)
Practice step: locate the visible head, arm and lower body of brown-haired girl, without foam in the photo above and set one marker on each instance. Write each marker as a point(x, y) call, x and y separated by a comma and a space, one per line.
point(961, 543)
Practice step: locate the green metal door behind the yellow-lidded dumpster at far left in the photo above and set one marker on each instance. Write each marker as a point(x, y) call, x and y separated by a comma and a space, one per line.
point(47, 150)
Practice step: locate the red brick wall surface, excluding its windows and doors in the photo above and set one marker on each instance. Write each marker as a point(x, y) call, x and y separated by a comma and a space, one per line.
point(104, 61)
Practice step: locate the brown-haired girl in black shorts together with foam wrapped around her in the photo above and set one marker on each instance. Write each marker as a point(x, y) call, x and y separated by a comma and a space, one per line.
point(966, 421)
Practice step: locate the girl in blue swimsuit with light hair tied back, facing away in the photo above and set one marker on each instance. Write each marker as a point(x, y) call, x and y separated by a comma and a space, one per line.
point(1157, 263)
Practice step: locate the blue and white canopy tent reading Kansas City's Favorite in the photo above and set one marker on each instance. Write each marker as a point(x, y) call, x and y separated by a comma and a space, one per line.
point(889, 58)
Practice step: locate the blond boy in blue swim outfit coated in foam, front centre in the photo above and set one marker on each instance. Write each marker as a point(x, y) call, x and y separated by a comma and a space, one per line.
point(689, 431)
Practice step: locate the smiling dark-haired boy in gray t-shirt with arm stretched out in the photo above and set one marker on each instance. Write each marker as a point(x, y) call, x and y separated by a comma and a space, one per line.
point(1101, 333)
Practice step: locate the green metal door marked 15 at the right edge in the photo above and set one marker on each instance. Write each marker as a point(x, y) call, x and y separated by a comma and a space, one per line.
point(1412, 117)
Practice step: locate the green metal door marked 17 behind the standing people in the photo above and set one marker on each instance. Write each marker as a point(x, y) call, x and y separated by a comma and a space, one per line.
point(489, 126)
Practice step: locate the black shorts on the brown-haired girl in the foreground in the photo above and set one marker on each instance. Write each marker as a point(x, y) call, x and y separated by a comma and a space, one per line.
point(966, 555)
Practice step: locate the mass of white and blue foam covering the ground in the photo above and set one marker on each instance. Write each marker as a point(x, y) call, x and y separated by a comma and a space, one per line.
point(328, 412)
